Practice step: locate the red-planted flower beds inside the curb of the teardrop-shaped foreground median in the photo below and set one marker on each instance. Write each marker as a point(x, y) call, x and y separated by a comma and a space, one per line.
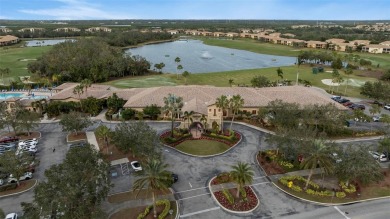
point(227, 197)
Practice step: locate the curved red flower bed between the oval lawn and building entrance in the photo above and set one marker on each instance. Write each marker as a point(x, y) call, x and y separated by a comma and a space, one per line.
point(188, 137)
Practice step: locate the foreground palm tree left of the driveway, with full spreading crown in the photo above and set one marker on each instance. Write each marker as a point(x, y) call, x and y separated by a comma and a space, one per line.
point(154, 177)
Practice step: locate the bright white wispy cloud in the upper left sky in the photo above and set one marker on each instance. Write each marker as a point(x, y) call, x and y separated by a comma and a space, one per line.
point(75, 10)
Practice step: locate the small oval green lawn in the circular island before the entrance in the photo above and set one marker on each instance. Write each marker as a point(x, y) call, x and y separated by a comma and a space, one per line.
point(202, 147)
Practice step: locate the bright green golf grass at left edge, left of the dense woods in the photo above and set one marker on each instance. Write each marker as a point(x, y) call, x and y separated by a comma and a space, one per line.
point(16, 59)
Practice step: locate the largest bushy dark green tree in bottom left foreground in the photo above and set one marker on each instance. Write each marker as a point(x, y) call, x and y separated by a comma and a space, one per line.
point(79, 196)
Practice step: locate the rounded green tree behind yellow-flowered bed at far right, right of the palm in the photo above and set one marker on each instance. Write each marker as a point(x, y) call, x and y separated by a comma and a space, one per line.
point(357, 164)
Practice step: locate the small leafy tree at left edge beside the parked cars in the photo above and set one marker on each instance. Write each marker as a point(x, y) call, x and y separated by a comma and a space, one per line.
point(15, 164)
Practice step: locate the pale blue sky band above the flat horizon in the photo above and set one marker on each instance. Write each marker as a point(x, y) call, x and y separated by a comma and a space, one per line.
point(195, 9)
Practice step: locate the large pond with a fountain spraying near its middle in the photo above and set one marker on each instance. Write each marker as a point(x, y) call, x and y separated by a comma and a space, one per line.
point(197, 57)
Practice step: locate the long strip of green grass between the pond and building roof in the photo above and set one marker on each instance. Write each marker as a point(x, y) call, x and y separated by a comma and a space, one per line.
point(241, 77)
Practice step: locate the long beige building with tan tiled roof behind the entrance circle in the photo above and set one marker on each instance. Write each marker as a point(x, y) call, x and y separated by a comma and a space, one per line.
point(200, 99)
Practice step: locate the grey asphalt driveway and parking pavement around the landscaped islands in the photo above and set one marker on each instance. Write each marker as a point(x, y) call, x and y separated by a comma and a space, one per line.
point(194, 174)
